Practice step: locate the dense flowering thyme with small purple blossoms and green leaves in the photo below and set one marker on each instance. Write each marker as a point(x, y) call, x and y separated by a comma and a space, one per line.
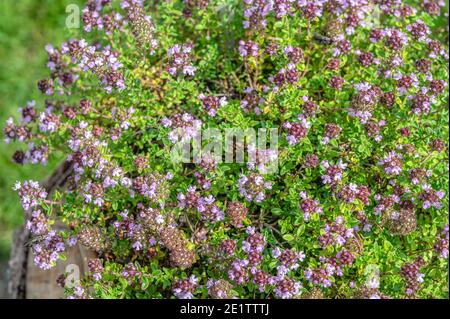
point(356, 205)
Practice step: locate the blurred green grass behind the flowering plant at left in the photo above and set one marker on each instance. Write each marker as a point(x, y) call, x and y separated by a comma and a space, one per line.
point(26, 26)
